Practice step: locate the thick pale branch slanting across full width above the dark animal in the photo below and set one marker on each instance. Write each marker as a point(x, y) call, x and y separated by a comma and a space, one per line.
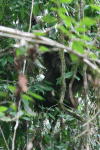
point(32, 38)
